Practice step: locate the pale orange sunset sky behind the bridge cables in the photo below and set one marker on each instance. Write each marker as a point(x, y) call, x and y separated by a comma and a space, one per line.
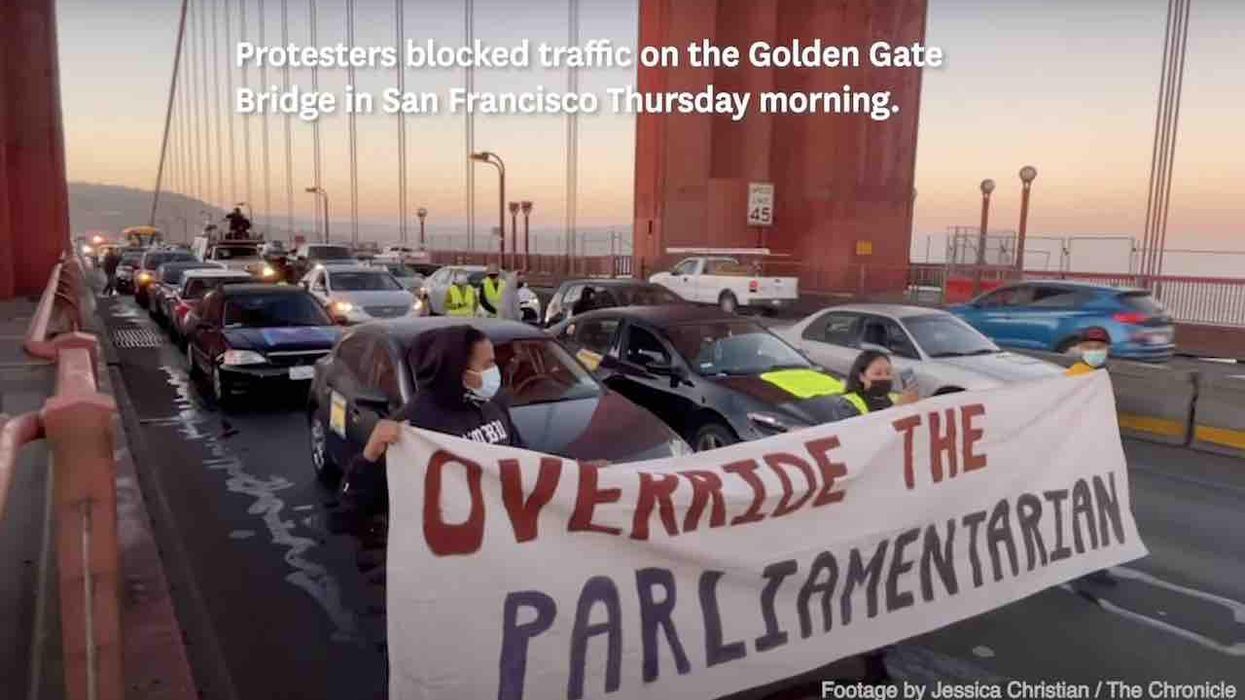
point(1065, 85)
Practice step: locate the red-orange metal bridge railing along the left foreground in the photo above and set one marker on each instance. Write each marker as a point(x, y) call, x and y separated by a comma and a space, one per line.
point(77, 422)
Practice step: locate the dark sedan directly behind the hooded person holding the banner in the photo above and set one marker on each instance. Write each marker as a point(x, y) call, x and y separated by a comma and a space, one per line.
point(556, 404)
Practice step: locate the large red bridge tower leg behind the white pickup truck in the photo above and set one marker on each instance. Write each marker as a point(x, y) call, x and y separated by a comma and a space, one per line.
point(843, 184)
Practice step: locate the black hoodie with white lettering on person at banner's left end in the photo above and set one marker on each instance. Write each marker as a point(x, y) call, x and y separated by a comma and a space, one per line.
point(443, 404)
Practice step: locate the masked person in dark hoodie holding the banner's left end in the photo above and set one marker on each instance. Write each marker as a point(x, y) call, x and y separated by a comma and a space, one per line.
point(458, 383)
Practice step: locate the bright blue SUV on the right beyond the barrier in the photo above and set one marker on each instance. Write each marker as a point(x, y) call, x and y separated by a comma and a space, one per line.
point(1049, 316)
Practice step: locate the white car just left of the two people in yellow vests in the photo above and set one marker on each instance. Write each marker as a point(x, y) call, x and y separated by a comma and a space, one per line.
point(355, 295)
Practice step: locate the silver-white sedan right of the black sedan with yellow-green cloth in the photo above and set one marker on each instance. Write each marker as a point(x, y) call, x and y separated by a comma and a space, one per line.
point(941, 352)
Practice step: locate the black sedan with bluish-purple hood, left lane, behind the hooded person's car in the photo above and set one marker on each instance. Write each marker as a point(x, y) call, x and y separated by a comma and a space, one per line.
point(247, 336)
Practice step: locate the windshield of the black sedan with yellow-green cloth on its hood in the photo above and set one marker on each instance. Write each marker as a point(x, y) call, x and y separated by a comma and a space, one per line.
point(734, 348)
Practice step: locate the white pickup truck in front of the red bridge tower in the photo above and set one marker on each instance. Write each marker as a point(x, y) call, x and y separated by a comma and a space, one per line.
point(723, 281)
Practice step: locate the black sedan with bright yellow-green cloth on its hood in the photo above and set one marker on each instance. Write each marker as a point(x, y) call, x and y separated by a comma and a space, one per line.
point(715, 378)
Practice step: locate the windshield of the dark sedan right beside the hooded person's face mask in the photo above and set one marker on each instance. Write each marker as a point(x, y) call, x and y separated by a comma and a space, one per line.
point(542, 372)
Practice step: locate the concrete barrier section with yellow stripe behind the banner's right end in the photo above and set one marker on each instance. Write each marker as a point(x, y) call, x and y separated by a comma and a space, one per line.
point(1153, 402)
